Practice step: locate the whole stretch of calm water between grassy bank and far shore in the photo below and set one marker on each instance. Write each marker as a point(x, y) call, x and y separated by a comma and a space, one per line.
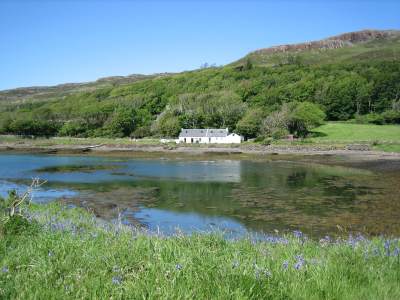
point(237, 196)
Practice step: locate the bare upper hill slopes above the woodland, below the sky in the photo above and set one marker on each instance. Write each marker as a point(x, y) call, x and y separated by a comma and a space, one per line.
point(364, 45)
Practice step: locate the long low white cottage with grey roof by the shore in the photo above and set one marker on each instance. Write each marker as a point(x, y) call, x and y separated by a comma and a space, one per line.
point(209, 136)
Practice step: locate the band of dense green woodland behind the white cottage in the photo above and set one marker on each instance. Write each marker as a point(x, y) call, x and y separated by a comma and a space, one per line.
point(251, 100)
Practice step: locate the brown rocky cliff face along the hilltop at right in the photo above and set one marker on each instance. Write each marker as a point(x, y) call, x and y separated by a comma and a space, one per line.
point(335, 42)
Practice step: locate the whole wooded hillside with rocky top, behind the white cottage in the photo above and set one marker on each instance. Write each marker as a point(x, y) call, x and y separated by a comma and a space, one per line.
point(352, 74)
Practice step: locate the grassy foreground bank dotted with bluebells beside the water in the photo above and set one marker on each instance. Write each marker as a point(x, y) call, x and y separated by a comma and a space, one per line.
point(68, 254)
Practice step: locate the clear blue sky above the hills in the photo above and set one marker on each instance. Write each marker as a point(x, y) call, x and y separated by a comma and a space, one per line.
point(51, 42)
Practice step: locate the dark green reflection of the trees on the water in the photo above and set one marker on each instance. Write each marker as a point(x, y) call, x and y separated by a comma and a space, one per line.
point(269, 196)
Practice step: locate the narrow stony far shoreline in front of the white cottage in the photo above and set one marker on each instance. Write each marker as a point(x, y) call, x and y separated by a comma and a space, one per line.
point(316, 150)
